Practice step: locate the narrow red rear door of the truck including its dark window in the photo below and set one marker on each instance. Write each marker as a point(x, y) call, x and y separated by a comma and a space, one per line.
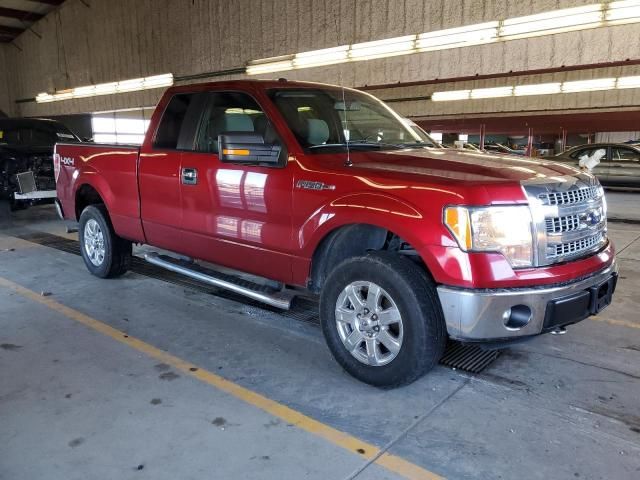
point(160, 173)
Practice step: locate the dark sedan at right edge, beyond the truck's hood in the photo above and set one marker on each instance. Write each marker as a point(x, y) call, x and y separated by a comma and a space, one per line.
point(620, 167)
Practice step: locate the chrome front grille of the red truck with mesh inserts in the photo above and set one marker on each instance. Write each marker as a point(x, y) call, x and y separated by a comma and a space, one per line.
point(569, 222)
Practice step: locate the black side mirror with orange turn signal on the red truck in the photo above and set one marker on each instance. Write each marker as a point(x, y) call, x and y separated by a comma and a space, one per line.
point(247, 147)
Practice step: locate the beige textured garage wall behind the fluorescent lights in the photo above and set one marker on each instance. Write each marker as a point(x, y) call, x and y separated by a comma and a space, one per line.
point(94, 41)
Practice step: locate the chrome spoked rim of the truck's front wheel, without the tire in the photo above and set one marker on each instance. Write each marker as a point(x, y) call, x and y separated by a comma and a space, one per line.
point(369, 323)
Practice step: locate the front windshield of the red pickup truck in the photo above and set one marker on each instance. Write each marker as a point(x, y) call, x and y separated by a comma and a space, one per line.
point(325, 119)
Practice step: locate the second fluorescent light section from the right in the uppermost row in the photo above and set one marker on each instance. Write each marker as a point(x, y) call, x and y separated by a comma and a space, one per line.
point(556, 21)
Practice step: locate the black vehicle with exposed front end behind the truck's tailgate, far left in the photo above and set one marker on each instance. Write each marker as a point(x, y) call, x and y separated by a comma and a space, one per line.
point(26, 159)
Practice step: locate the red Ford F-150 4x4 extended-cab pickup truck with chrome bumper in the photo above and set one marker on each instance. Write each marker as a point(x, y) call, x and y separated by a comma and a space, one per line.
point(326, 189)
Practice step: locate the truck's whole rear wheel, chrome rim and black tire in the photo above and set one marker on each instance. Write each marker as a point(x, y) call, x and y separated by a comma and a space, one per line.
point(105, 254)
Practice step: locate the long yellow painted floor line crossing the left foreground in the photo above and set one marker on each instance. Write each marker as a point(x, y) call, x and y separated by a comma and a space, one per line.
point(354, 445)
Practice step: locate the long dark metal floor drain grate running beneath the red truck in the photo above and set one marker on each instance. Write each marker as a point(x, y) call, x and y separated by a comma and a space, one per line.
point(466, 357)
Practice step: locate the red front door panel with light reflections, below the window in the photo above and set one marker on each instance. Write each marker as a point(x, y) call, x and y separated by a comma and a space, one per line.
point(238, 216)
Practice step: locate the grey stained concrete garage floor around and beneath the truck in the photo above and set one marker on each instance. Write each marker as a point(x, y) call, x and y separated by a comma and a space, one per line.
point(78, 402)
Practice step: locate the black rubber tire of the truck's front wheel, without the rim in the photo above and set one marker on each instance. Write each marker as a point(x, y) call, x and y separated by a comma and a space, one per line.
point(416, 298)
